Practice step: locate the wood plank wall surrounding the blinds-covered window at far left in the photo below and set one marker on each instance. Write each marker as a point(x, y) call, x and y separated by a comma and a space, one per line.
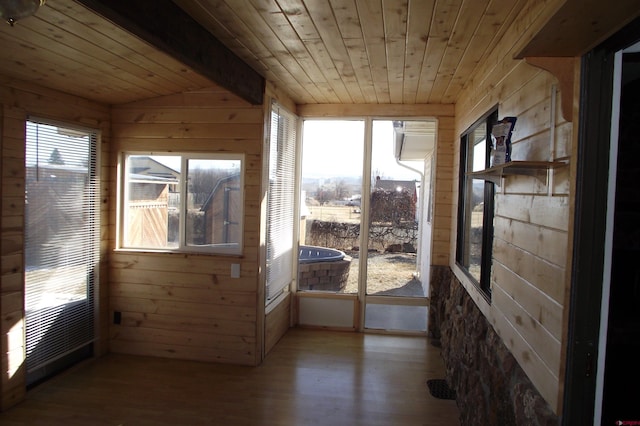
point(19, 100)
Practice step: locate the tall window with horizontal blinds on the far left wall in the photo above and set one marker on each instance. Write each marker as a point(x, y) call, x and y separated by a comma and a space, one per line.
point(61, 245)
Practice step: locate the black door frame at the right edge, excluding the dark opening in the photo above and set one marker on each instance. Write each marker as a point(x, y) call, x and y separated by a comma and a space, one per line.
point(585, 313)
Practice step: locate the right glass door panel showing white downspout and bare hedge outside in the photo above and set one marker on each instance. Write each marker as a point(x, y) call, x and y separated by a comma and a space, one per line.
point(395, 295)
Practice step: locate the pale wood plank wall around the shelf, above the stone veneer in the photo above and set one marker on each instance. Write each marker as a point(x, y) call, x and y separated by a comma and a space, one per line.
point(530, 248)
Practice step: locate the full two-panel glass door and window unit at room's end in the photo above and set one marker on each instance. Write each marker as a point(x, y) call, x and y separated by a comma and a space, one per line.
point(362, 203)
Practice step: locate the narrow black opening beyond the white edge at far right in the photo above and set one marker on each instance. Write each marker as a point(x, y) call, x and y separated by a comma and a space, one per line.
point(622, 372)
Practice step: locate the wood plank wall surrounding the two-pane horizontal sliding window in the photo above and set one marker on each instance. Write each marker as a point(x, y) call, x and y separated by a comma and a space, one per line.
point(187, 305)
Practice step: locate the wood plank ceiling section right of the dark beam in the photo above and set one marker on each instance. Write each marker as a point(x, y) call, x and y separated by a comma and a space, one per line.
point(359, 51)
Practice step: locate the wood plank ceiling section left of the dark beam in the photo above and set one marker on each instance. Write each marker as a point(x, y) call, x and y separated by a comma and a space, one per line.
point(69, 48)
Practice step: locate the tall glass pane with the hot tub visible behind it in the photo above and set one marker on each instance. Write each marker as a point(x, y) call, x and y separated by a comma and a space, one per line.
point(332, 158)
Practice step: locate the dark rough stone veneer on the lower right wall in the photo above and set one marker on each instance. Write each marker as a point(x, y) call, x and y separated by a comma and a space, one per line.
point(491, 387)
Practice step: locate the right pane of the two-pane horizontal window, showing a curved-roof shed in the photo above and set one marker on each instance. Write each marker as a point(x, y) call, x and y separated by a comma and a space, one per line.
point(214, 202)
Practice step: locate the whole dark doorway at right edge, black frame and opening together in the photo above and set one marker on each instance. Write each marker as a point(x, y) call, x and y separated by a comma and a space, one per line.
point(601, 373)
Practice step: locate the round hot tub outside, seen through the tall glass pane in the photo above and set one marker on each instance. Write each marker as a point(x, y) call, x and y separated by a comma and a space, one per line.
point(322, 269)
